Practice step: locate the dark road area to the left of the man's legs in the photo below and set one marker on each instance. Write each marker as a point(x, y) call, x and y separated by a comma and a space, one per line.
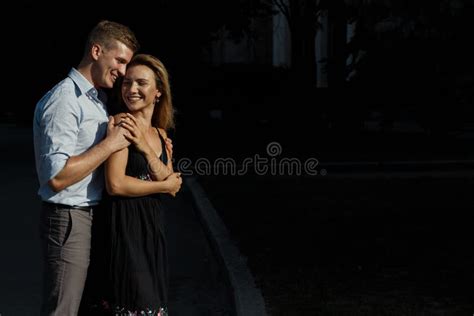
point(20, 268)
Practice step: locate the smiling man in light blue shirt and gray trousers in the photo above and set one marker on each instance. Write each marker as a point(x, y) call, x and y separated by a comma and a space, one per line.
point(73, 136)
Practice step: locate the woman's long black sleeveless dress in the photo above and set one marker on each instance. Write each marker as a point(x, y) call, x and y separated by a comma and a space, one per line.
point(137, 260)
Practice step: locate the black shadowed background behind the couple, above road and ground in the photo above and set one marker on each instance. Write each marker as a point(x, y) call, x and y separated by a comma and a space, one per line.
point(416, 75)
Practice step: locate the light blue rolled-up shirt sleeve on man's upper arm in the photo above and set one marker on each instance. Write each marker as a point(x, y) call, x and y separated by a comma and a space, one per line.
point(60, 127)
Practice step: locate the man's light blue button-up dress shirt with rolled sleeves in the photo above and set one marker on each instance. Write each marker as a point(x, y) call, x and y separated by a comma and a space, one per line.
point(70, 119)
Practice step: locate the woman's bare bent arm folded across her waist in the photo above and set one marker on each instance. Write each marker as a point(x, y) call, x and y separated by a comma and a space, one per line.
point(118, 183)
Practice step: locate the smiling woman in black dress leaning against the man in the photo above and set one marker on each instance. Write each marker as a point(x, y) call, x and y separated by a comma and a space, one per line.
point(134, 177)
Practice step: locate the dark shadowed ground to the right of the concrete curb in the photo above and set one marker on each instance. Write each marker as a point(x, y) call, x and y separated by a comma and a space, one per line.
point(353, 245)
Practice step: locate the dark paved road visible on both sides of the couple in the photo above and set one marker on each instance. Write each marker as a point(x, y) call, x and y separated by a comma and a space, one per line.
point(197, 284)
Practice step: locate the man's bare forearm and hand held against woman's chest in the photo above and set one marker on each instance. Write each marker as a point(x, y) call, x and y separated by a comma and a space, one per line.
point(78, 167)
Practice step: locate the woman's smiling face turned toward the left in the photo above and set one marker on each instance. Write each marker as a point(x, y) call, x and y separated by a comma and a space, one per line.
point(139, 88)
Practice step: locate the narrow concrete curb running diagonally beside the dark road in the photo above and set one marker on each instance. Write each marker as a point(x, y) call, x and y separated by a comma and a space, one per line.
point(247, 297)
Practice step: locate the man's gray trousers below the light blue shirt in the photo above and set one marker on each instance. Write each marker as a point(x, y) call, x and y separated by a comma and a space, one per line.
point(66, 239)
